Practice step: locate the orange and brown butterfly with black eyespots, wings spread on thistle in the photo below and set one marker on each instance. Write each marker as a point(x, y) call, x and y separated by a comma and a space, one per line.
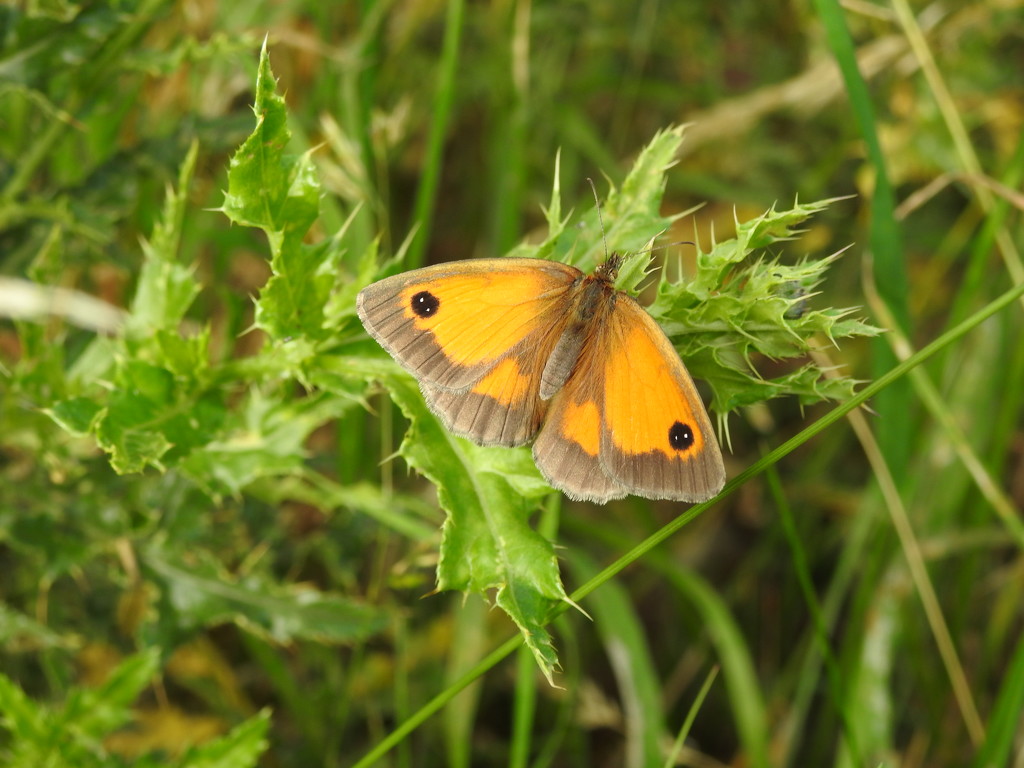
point(514, 351)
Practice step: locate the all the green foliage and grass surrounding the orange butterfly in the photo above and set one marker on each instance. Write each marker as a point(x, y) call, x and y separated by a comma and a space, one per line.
point(201, 518)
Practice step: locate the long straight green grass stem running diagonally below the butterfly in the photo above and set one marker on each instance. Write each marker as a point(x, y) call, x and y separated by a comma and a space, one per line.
point(675, 526)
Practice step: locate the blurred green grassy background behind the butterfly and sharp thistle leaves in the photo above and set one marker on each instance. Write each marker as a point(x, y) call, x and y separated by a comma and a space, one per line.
point(861, 601)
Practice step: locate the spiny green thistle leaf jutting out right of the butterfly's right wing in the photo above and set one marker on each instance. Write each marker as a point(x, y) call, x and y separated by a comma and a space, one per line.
point(741, 307)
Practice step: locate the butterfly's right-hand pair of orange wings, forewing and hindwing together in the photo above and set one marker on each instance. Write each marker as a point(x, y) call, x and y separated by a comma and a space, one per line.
point(629, 419)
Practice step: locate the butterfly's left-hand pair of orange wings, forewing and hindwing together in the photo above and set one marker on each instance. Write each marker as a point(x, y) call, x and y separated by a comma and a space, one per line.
point(477, 335)
